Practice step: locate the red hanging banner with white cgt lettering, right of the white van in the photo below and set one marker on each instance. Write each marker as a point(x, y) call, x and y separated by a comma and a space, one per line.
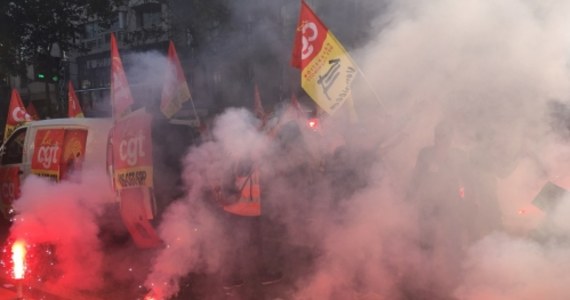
point(132, 151)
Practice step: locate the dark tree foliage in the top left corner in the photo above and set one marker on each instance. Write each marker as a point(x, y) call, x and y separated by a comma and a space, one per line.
point(29, 28)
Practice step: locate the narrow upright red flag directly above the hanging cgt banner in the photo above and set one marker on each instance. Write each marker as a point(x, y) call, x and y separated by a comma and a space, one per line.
point(121, 97)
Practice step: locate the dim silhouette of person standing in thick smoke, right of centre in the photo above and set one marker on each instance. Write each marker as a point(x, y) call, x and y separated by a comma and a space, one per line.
point(437, 189)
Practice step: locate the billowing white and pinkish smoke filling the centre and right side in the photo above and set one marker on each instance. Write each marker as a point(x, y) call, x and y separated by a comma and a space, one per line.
point(489, 69)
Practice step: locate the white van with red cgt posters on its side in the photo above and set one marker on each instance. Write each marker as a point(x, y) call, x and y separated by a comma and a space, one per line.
point(73, 140)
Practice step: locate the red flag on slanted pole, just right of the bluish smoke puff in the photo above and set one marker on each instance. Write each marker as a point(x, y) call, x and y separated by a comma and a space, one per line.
point(175, 91)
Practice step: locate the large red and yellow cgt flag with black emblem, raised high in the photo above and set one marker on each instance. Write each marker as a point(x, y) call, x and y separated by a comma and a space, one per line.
point(327, 70)
